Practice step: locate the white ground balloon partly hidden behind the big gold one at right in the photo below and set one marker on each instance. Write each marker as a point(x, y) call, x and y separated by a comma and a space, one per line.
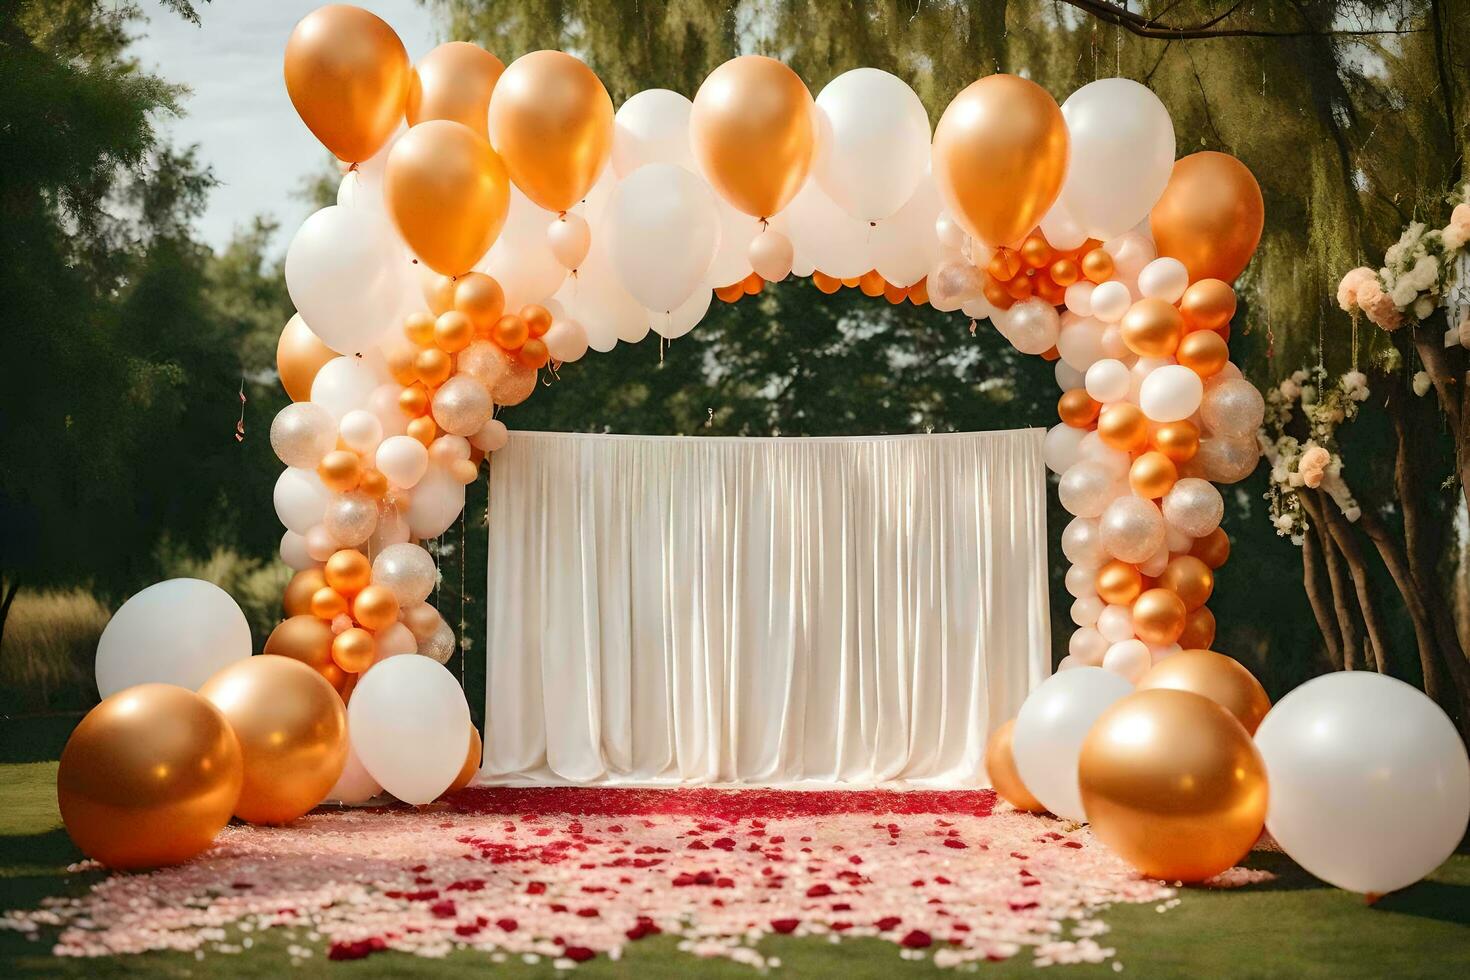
point(1047, 740)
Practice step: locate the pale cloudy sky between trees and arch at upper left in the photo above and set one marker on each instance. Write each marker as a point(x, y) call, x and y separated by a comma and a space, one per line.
point(239, 114)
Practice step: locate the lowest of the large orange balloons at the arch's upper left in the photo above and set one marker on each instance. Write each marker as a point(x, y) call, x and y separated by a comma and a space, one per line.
point(448, 193)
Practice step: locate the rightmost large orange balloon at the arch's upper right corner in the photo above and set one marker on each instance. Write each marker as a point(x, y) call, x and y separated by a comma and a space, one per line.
point(1211, 217)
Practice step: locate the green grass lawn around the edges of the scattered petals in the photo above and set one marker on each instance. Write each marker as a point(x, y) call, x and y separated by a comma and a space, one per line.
point(1294, 926)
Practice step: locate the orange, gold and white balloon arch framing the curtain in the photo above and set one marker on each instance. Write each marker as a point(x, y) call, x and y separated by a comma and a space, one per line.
point(518, 223)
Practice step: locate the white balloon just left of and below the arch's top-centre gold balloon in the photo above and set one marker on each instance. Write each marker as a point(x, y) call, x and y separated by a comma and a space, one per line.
point(664, 230)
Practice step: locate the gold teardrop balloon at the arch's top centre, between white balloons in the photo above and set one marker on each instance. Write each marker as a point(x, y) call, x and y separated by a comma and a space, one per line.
point(753, 133)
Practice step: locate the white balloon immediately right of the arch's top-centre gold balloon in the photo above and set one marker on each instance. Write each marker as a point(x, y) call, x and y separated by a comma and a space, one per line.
point(875, 143)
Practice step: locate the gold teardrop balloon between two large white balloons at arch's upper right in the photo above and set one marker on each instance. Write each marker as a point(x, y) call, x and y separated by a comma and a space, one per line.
point(1000, 155)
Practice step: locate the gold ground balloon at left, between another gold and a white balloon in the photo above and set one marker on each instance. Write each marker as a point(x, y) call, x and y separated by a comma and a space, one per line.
point(292, 729)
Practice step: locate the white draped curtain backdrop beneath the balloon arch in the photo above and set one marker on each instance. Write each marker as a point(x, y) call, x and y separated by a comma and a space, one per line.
point(771, 612)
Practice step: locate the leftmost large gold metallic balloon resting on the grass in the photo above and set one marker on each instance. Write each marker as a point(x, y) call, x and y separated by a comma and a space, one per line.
point(149, 778)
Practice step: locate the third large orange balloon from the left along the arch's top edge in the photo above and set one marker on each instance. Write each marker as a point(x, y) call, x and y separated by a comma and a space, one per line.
point(552, 121)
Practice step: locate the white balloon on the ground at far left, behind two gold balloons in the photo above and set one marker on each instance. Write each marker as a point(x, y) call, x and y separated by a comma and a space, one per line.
point(179, 633)
